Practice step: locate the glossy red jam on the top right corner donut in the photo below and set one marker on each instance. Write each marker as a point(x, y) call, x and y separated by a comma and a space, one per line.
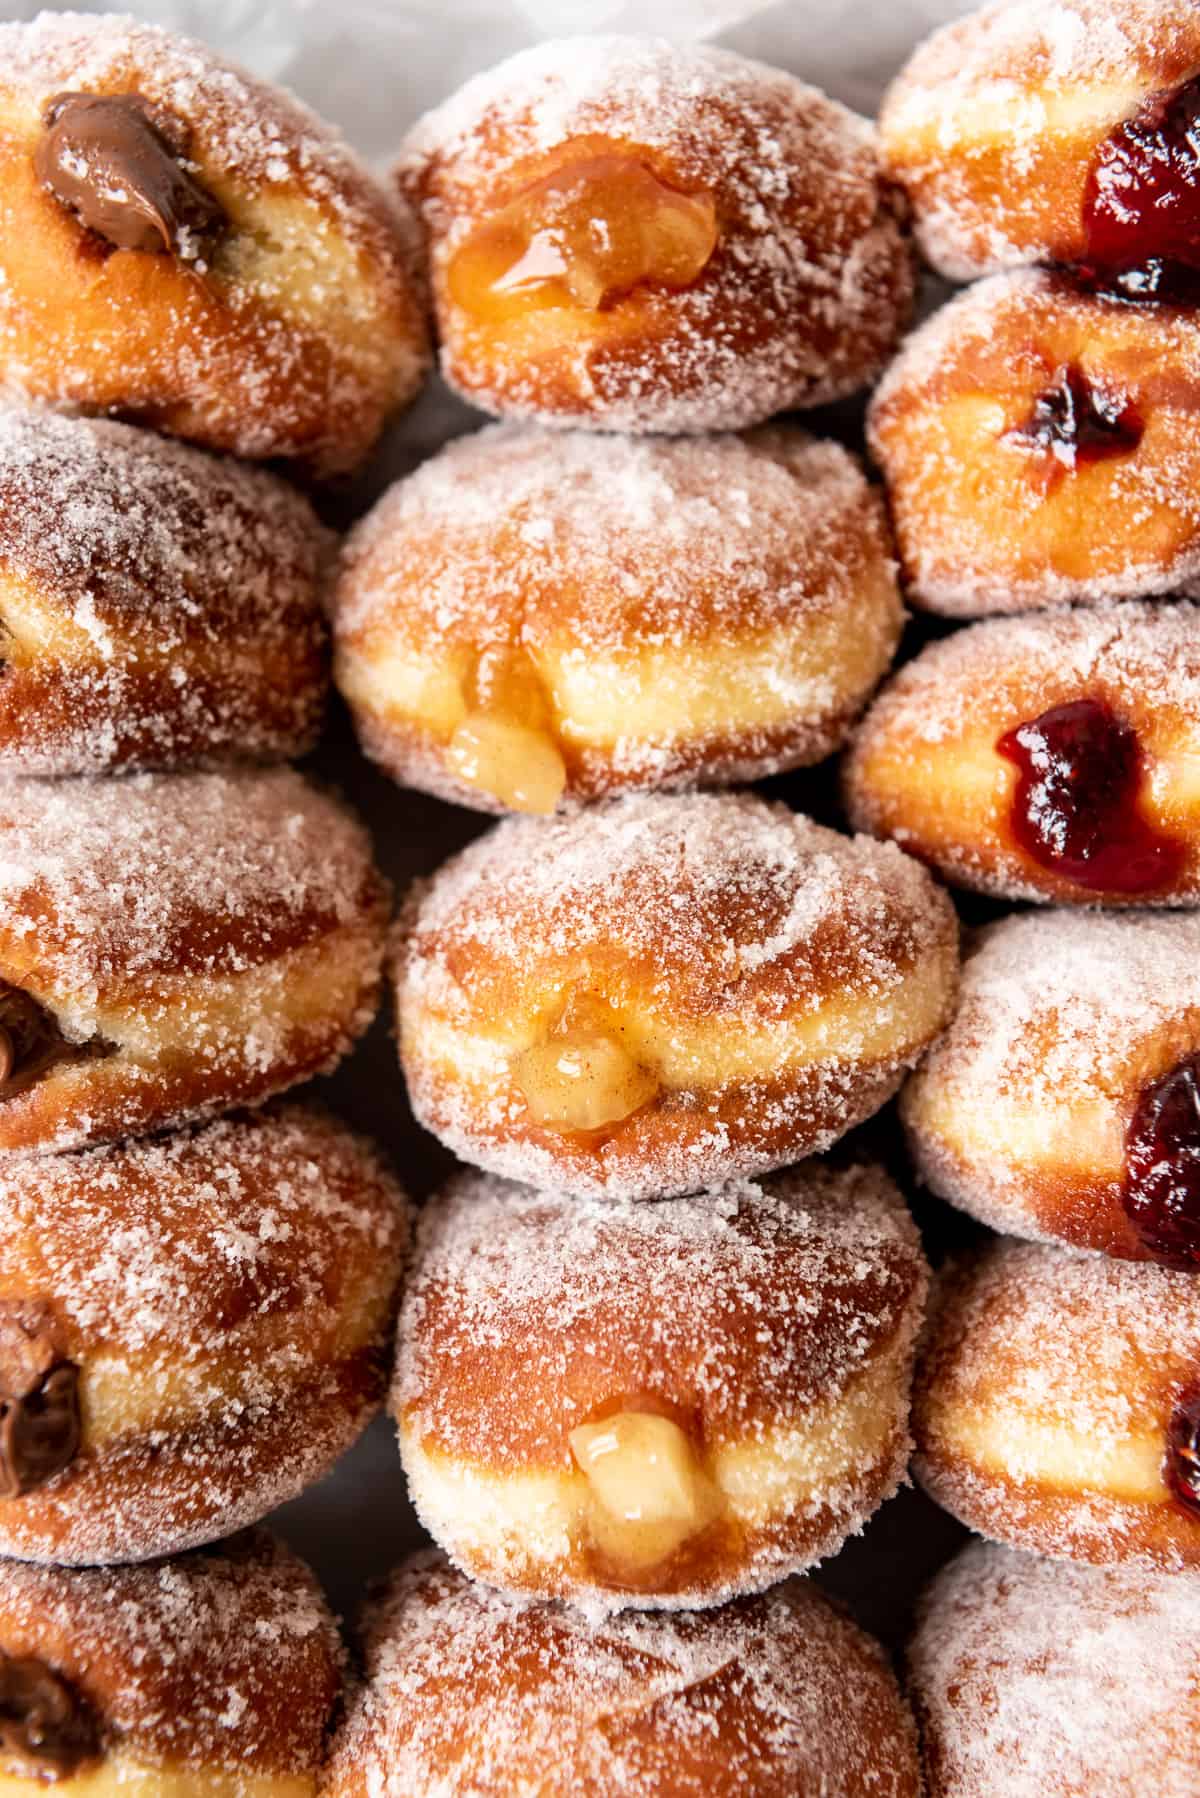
point(1142, 204)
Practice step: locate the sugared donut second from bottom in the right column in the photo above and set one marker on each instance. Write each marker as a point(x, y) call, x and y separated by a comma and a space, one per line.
point(1059, 1405)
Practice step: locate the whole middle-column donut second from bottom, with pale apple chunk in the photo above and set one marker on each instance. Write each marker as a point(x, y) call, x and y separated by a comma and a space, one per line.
point(658, 1405)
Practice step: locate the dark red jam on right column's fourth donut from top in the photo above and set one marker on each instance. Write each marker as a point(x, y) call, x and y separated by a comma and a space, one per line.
point(1161, 1189)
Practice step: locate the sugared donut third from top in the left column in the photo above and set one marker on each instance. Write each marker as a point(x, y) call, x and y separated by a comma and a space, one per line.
point(174, 947)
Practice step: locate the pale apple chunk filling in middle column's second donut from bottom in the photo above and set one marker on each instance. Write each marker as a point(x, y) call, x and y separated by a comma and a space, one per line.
point(649, 1490)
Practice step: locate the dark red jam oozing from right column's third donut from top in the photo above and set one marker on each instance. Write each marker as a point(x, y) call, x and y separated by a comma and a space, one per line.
point(1077, 806)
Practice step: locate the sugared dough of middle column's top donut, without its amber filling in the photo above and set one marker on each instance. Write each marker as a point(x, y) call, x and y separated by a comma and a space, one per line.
point(803, 296)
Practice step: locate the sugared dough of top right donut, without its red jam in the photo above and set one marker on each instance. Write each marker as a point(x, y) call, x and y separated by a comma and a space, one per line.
point(994, 121)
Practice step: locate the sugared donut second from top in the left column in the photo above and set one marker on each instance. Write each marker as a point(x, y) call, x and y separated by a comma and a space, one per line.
point(157, 607)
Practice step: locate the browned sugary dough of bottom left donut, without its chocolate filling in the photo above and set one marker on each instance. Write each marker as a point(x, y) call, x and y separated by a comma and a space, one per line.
point(224, 1662)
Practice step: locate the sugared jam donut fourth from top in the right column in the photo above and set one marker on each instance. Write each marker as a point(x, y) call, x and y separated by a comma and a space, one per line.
point(1064, 1101)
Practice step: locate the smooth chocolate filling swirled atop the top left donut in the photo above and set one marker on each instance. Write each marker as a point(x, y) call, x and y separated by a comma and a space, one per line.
point(116, 163)
